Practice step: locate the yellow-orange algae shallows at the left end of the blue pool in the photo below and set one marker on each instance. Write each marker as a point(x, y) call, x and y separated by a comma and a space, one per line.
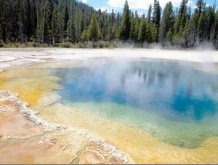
point(29, 83)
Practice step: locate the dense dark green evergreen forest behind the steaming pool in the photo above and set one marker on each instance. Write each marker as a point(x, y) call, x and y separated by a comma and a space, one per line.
point(54, 22)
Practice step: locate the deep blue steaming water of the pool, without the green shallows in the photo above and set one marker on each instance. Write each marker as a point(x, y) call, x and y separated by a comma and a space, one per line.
point(175, 90)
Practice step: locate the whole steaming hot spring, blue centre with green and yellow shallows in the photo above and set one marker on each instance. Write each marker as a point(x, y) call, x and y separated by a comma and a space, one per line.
point(158, 111)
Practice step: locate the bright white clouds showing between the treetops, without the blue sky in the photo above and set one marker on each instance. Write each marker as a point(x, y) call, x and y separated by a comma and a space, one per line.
point(141, 4)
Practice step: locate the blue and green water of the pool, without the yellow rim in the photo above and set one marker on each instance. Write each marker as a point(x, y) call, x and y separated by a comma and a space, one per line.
point(174, 101)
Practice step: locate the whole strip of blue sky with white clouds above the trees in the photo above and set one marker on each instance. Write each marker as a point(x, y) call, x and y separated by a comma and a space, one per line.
point(140, 5)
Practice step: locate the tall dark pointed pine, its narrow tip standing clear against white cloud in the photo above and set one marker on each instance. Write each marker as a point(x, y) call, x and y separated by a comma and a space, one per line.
point(126, 23)
